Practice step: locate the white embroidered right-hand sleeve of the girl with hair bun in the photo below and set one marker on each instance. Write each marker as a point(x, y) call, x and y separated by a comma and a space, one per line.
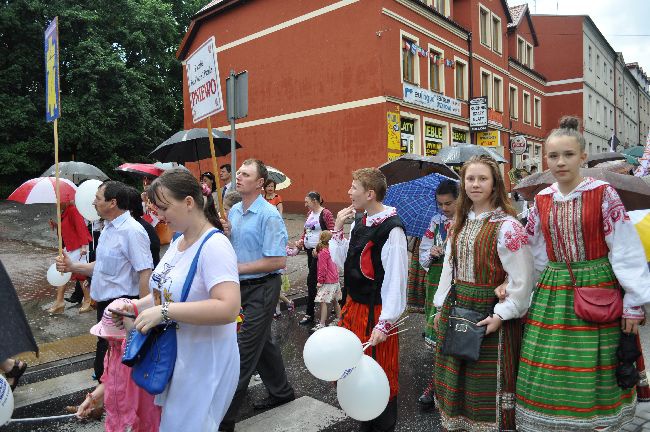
point(626, 252)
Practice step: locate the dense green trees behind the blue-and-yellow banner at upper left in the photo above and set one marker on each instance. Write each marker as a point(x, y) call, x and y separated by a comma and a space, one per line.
point(121, 85)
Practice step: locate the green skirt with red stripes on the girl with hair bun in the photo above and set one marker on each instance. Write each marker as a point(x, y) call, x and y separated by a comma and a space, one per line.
point(567, 369)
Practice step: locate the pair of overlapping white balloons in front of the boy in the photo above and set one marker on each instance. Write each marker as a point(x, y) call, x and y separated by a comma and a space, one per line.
point(336, 354)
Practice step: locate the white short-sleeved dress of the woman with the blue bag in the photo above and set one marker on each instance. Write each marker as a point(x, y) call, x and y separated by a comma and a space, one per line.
point(207, 359)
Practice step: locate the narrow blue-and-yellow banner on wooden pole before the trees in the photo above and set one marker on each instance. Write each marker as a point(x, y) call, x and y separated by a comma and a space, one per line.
point(52, 98)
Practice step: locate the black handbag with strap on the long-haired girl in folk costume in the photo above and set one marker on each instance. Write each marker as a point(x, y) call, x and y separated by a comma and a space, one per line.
point(463, 337)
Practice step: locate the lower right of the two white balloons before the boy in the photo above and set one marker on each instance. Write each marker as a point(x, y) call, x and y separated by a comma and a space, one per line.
point(363, 393)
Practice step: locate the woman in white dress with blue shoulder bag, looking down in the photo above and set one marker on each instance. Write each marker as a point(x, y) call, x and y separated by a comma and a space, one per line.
point(207, 363)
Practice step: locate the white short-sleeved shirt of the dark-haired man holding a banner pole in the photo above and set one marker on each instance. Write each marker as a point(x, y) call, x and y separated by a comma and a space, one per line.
point(122, 252)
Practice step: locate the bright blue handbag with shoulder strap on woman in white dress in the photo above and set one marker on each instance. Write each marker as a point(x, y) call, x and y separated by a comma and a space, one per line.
point(152, 356)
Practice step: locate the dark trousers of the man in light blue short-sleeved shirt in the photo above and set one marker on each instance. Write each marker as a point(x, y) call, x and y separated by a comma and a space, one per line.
point(256, 349)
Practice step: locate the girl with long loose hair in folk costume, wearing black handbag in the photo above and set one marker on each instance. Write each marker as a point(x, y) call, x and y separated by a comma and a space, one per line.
point(487, 246)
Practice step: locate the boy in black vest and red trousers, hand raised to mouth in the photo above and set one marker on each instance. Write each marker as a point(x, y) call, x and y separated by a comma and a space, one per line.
point(375, 264)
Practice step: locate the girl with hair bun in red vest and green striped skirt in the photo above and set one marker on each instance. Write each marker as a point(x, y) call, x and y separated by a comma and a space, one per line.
point(580, 236)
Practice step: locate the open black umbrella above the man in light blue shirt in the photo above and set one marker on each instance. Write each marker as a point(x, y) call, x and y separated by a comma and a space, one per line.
point(192, 145)
